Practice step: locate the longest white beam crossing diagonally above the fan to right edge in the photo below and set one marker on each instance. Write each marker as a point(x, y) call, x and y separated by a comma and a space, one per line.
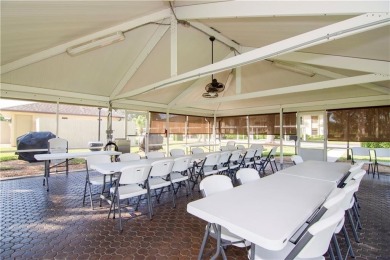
point(335, 31)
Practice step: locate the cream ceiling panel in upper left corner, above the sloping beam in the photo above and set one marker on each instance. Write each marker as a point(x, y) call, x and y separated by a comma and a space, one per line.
point(34, 26)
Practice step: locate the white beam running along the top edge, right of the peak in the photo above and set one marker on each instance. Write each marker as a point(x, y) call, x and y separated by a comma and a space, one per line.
point(266, 8)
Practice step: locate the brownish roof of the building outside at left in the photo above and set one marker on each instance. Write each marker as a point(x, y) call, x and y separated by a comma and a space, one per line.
point(50, 108)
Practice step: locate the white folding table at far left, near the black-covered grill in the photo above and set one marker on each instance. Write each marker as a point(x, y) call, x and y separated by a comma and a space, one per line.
point(65, 156)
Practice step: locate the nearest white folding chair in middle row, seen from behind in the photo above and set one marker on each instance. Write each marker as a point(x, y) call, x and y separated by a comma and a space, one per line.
point(131, 183)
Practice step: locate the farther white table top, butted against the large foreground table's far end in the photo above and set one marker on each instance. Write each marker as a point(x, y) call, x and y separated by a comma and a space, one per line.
point(320, 170)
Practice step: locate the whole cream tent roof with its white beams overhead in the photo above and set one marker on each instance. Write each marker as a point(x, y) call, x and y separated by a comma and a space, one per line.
point(164, 62)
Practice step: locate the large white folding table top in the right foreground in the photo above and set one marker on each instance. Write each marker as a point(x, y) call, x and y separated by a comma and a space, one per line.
point(266, 212)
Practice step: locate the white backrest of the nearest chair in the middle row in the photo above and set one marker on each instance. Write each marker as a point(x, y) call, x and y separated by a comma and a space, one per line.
point(133, 174)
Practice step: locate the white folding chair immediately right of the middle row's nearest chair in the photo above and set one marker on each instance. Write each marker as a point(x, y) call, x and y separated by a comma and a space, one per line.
point(159, 179)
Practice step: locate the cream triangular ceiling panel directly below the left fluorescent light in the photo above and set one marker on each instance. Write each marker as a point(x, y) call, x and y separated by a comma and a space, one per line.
point(97, 71)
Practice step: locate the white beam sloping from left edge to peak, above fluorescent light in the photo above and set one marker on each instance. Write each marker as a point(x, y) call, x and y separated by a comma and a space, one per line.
point(62, 48)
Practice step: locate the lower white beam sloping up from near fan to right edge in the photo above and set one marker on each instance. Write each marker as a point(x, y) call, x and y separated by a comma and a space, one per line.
point(334, 83)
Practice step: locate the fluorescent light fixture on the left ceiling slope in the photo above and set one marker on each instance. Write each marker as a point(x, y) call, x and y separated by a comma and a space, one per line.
point(95, 43)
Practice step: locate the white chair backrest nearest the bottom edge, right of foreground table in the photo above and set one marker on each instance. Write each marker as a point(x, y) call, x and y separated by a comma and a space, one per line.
point(321, 232)
